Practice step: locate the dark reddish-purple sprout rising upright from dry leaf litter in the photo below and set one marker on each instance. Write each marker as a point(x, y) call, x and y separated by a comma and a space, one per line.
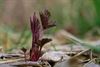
point(37, 29)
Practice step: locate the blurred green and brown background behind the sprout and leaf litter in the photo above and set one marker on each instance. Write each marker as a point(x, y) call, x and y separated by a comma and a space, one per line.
point(79, 17)
